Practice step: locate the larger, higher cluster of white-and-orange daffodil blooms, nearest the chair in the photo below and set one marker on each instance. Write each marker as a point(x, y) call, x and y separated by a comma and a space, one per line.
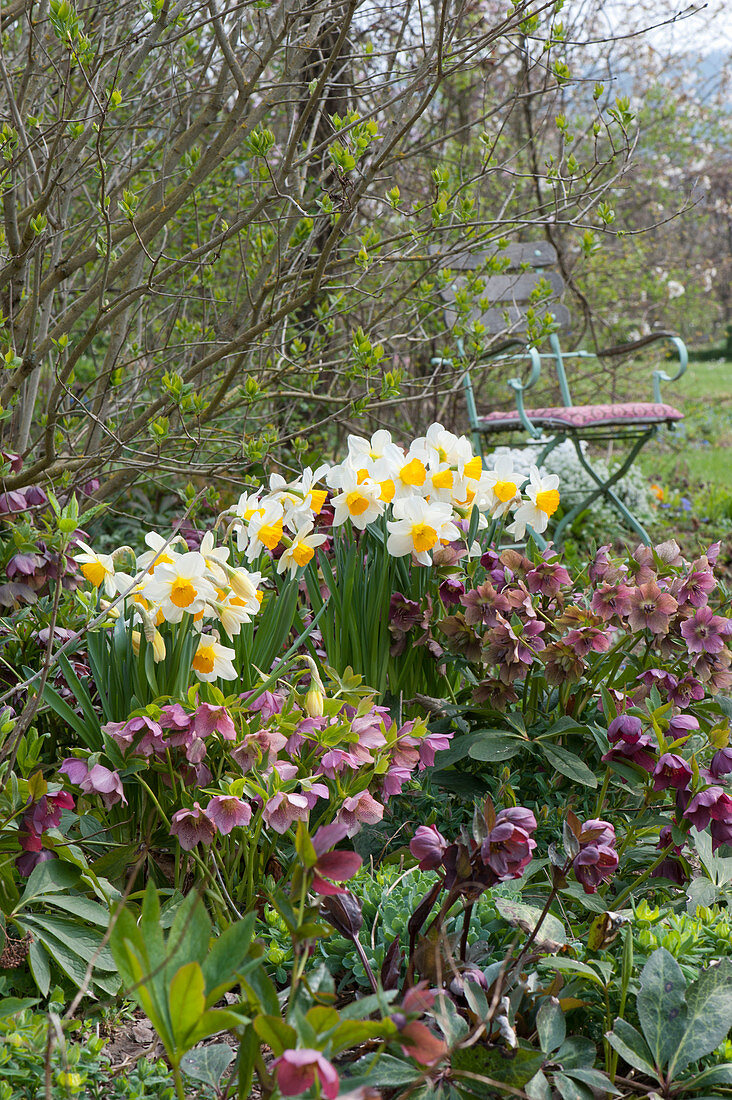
point(422, 493)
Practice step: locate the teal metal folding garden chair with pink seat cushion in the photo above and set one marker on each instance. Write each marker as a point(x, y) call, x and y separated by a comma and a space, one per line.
point(629, 426)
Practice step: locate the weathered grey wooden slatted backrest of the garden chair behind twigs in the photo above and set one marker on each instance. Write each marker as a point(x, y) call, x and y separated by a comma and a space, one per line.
point(505, 299)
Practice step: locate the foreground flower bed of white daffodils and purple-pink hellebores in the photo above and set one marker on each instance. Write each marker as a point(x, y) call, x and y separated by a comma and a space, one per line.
point(357, 793)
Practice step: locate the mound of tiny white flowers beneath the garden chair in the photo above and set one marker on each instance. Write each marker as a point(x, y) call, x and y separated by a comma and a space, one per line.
point(576, 483)
